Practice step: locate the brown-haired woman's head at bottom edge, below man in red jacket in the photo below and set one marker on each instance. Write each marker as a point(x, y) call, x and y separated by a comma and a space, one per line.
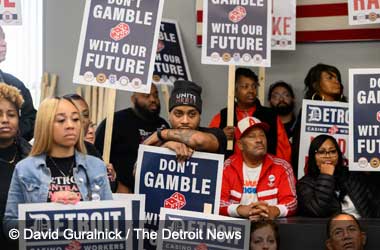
point(264, 235)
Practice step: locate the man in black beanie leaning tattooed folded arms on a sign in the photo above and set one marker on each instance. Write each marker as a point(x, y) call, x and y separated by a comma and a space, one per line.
point(185, 134)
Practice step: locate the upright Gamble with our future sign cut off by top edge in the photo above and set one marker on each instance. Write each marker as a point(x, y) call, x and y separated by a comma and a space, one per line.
point(237, 32)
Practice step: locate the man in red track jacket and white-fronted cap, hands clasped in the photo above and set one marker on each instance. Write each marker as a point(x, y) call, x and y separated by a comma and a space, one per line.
point(257, 184)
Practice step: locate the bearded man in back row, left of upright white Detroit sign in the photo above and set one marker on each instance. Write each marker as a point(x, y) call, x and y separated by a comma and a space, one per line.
point(281, 100)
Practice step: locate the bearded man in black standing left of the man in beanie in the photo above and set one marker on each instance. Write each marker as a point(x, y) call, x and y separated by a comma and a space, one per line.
point(131, 127)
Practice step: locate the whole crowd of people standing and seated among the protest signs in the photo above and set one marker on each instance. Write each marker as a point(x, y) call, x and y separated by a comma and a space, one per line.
point(258, 178)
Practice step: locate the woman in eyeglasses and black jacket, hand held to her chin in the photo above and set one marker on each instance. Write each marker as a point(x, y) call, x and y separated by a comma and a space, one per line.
point(329, 187)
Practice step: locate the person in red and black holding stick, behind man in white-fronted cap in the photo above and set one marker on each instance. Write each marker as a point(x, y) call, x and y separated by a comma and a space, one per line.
point(246, 83)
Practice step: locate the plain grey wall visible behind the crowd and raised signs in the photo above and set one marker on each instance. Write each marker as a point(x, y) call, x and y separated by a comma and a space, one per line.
point(62, 27)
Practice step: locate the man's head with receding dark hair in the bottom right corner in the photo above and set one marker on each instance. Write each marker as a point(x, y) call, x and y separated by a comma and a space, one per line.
point(344, 232)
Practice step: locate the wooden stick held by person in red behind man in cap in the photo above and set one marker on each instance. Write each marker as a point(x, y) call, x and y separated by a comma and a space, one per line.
point(231, 101)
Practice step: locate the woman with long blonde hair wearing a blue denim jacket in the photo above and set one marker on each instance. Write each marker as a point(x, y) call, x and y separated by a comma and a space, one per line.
point(57, 170)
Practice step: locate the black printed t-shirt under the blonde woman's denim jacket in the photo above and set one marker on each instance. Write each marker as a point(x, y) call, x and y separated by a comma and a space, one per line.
point(62, 178)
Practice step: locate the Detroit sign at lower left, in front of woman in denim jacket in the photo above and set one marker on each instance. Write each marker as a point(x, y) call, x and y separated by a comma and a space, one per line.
point(87, 225)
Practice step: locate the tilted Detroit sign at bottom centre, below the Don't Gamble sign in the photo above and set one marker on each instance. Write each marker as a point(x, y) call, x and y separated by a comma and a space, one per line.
point(193, 230)
